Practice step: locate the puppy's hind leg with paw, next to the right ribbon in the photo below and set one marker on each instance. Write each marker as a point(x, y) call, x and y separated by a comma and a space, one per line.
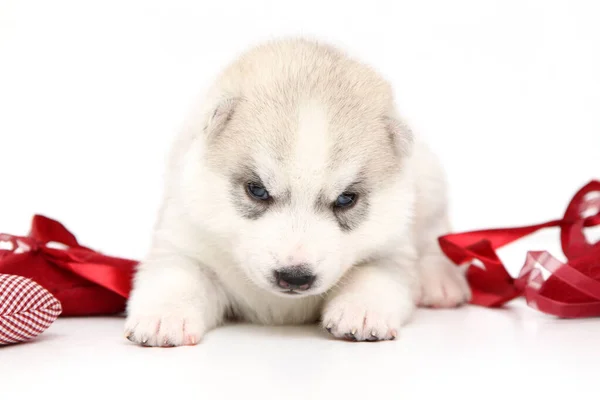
point(442, 283)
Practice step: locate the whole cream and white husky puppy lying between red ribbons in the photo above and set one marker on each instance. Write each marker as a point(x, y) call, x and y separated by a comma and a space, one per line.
point(295, 194)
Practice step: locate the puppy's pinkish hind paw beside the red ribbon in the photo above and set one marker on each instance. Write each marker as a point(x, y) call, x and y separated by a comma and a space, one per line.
point(443, 286)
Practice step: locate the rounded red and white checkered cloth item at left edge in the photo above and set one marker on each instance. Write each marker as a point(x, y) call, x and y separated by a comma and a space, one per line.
point(26, 309)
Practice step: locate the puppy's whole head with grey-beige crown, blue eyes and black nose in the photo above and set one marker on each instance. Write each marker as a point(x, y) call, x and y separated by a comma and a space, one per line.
point(299, 167)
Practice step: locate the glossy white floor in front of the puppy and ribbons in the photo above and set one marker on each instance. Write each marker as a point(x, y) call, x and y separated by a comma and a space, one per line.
point(472, 353)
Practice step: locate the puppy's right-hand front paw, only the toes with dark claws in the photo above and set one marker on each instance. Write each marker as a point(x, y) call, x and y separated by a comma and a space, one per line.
point(354, 318)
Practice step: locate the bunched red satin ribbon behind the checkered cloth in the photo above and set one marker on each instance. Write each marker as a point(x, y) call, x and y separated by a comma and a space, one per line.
point(84, 281)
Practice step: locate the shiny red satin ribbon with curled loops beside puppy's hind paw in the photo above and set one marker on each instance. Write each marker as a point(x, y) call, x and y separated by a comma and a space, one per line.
point(573, 288)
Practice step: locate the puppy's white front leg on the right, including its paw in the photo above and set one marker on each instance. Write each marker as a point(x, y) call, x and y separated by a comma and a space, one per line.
point(371, 303)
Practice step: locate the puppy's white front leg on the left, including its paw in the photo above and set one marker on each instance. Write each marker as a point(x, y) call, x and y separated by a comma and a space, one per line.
point(173, 302)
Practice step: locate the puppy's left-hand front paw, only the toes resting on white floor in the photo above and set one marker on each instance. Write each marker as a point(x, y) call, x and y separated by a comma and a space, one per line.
point(165, 327)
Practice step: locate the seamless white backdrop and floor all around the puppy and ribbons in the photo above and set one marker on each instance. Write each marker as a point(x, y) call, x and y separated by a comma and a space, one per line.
point(507, 92)
